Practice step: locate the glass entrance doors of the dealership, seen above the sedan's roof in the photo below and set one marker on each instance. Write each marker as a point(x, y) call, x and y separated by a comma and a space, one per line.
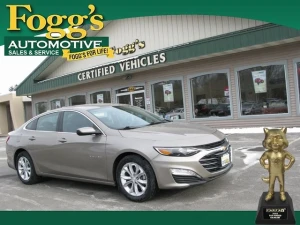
point(132, 96)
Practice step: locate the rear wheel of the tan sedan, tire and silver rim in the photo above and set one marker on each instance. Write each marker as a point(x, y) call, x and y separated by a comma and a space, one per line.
point(31, 177)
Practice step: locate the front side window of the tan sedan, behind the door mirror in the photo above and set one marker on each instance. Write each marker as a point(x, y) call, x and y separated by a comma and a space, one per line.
point(72, 121)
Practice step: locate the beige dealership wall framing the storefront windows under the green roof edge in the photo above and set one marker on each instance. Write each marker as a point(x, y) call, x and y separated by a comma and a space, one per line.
point(284, 53)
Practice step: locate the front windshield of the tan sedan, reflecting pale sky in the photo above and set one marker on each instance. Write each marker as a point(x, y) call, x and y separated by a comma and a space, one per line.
point(125, 117)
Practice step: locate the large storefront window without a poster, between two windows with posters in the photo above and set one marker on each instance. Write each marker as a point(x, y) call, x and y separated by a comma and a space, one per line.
point(210, 95)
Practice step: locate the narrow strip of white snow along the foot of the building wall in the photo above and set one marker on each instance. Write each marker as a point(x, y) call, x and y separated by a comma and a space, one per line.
point(255, 130)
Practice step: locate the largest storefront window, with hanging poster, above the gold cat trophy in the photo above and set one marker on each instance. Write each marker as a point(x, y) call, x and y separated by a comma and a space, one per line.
point(263, 90)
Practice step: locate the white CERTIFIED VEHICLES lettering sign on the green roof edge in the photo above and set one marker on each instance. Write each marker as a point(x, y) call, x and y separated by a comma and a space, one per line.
point(125, 66)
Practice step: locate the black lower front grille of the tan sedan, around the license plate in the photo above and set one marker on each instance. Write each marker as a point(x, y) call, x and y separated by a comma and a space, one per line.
point(212, 161)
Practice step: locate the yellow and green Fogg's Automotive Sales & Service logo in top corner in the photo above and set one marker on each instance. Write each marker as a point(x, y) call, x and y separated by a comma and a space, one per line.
point(57, 40)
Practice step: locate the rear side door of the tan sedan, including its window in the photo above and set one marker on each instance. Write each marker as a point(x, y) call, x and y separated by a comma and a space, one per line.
point(39, 140)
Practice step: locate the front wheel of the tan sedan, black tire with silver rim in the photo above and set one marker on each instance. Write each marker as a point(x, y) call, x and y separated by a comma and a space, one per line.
point(144, 178)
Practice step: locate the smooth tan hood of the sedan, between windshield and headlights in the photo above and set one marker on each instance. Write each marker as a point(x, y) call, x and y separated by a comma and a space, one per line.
point(175, 134)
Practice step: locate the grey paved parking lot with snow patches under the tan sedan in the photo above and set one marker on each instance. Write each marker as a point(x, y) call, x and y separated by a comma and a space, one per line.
point(240, 189)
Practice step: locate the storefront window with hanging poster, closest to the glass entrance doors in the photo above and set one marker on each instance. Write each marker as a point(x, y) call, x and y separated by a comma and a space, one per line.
point(168, 99)
